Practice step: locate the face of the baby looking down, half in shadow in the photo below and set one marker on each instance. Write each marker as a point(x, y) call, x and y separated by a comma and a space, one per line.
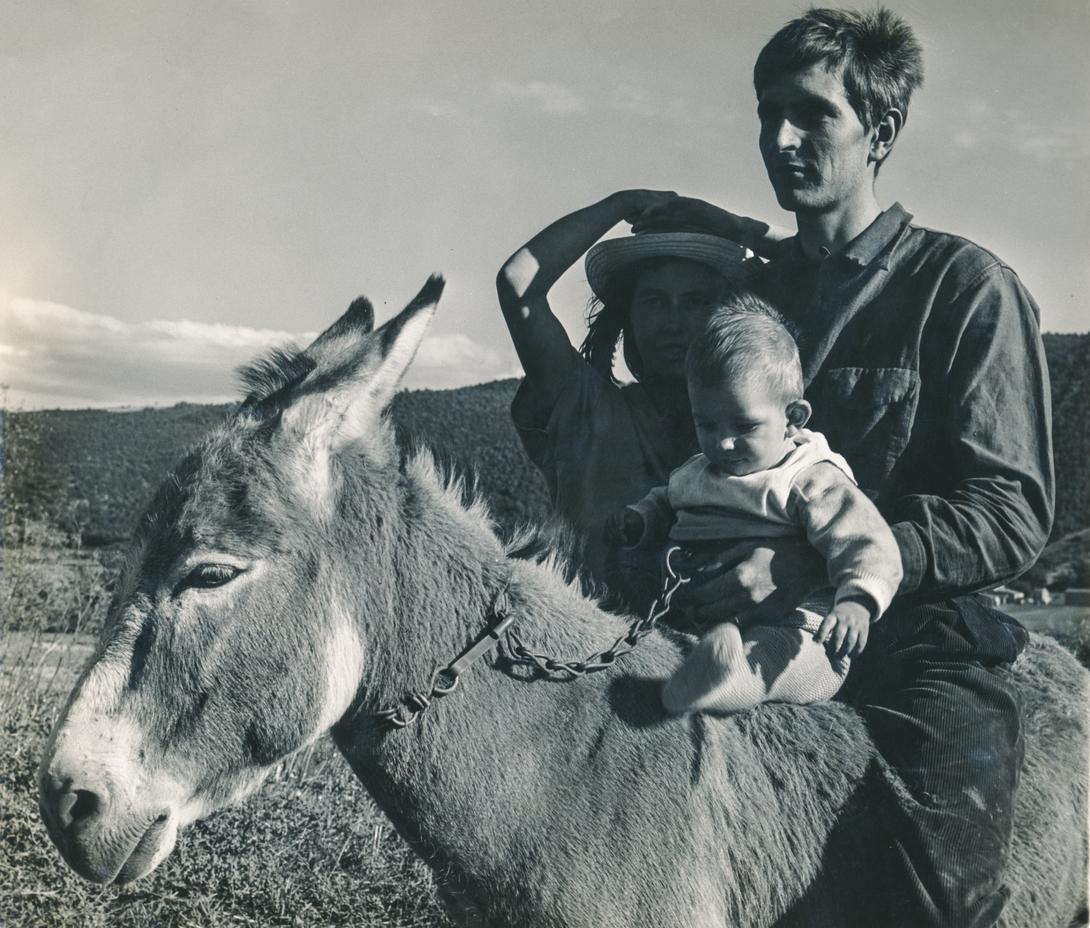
point(742, 427)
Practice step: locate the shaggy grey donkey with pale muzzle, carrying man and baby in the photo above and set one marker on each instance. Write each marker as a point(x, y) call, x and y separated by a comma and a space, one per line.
point(298, 575)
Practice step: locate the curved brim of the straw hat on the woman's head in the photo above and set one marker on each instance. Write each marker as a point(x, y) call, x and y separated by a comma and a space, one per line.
point(612, 257)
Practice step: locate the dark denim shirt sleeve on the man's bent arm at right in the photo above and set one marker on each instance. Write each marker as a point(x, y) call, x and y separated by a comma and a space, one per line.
point(997, 418)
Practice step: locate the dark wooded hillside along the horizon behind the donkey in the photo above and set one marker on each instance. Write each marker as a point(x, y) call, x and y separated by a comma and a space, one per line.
point(92, 472)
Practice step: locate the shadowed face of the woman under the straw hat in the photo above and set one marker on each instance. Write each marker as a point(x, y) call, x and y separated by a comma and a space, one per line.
point(670, 306)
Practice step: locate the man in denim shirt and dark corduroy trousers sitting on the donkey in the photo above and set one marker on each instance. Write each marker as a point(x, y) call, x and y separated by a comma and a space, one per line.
point(925, 368)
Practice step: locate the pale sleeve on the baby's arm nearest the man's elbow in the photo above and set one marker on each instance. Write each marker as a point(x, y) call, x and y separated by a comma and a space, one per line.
point(846, 528)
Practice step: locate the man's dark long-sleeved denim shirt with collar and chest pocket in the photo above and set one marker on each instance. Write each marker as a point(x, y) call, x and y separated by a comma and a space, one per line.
point(924, 364)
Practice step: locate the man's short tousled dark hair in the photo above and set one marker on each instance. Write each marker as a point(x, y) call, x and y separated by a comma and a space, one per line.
point(881, 58)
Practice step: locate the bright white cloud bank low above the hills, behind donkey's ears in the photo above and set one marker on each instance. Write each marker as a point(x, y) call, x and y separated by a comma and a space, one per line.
point(56, 356)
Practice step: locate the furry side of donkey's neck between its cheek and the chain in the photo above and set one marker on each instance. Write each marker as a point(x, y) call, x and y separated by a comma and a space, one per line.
point(437, 594)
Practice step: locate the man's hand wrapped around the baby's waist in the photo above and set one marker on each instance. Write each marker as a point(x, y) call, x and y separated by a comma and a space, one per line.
point(755, 582)
